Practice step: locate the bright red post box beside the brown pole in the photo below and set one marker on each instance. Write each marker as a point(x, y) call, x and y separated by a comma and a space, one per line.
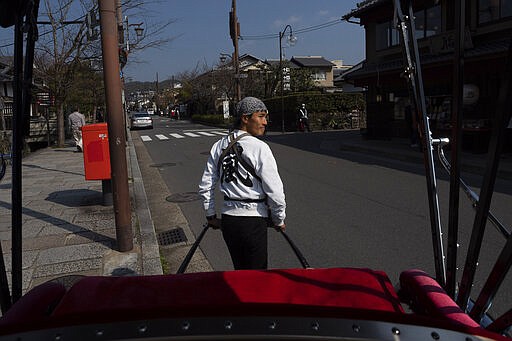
point(96, 151)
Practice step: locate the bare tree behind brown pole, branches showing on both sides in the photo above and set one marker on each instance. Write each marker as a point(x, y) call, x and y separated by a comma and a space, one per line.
point(65, 55)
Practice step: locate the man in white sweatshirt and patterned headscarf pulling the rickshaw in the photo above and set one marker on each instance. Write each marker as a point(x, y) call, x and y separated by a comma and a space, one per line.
point(251, 185)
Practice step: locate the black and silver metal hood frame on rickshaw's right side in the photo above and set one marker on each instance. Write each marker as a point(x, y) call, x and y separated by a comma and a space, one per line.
point(447, 277)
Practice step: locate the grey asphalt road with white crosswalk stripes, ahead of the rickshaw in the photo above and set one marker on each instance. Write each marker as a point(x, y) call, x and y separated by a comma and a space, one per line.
point(344, 208)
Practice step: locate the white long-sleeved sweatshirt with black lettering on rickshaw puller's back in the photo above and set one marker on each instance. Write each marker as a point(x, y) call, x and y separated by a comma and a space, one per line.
point(258, 154)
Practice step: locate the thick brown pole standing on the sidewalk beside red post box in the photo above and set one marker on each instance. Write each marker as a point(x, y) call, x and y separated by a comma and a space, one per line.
point(115, 123)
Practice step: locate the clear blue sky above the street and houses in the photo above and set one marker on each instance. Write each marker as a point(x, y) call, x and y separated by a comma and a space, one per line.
point(201, 32)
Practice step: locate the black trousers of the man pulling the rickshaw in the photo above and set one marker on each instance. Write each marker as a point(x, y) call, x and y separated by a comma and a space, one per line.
point(246, 239)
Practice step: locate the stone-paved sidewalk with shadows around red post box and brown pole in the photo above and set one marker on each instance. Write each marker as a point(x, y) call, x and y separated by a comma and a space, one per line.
point(66, 228)
